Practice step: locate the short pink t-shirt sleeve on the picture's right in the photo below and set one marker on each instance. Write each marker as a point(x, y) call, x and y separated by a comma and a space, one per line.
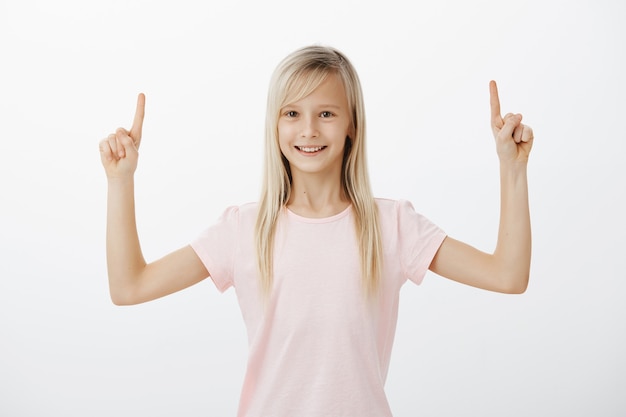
point(418, 241)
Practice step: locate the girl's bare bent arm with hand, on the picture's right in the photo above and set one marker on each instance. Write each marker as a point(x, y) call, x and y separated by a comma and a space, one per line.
point(507, 268)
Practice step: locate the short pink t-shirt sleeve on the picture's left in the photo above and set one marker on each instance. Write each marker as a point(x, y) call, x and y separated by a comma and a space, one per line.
point(216, 247)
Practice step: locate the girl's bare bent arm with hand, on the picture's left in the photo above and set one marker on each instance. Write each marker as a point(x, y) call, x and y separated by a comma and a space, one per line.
point(131, 279)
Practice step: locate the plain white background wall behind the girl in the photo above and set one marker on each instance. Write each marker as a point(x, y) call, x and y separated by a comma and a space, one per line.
point(69, 75)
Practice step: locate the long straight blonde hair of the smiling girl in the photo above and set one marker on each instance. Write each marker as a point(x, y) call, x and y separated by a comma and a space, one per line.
point(294, 78)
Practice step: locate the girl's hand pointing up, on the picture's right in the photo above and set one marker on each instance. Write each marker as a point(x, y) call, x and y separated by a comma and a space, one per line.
point(513, 139)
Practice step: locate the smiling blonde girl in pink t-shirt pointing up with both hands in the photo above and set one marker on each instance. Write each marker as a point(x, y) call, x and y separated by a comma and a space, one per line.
point(318, 263)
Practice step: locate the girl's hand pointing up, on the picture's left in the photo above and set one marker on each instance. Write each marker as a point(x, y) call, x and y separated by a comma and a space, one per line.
point(119, 151)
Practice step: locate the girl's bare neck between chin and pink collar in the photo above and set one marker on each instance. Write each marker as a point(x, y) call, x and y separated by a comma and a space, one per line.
point(317, 199)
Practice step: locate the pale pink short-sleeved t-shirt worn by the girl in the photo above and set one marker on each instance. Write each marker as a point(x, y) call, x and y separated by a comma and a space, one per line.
point(319, 347)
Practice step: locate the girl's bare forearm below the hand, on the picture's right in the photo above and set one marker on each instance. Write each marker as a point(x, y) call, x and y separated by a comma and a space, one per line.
point(513, 250)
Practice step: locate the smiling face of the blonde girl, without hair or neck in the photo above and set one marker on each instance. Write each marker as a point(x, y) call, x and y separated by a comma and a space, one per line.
point(312, 131)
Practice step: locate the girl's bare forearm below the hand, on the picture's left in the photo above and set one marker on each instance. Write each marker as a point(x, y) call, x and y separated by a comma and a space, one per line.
point(124, 258)
